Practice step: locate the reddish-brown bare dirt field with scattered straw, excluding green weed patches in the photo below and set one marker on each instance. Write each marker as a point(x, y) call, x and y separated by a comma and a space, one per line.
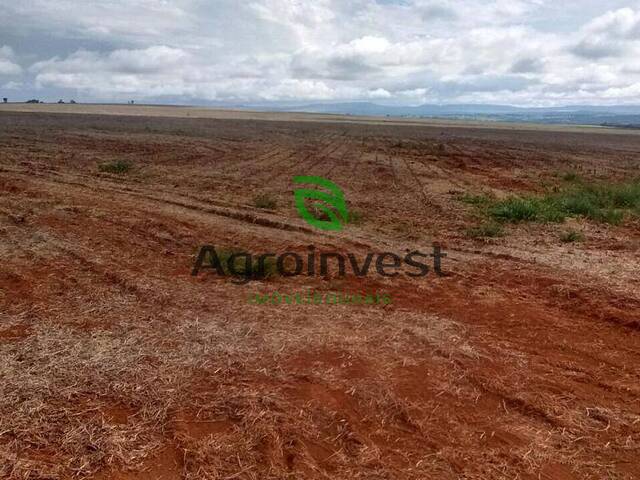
point(115, 363)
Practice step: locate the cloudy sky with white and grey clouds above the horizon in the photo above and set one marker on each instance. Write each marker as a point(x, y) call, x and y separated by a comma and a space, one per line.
point(518, 52)
